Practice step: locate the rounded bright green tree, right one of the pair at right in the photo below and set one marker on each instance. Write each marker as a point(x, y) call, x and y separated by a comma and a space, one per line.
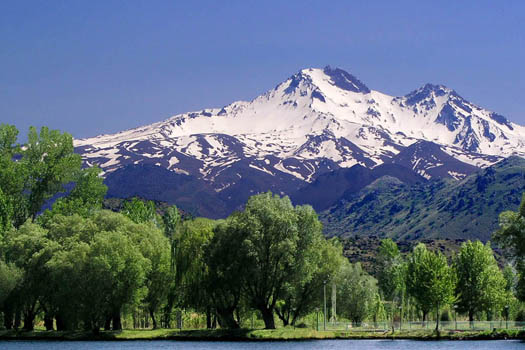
point(480, 283)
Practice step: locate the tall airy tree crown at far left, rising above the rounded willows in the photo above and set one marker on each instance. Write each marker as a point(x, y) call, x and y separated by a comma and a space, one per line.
point(31, 175)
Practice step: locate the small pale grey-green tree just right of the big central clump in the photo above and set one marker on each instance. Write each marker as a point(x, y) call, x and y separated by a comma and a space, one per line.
point(357, 292)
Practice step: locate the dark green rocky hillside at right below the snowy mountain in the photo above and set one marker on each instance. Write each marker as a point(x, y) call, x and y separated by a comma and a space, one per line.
point(437, 209)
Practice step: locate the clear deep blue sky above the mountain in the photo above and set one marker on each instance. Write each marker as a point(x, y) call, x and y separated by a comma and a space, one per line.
point(94, 66)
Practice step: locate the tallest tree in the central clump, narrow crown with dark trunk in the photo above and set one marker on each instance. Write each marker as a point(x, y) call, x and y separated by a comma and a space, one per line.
point(270, 240)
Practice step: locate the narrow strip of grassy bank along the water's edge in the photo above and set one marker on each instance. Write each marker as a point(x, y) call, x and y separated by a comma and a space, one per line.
point(259, 335)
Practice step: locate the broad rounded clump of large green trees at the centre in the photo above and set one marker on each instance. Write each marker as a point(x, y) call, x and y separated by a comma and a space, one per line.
point(274, 255)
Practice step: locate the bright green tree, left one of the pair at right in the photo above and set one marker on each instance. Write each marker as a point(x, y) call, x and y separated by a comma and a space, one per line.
point(430, 281)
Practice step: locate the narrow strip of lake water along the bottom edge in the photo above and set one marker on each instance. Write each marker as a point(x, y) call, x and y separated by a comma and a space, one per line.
point(291, 345)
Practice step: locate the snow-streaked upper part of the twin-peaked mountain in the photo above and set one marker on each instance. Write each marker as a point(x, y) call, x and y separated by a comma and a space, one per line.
point(316, 121)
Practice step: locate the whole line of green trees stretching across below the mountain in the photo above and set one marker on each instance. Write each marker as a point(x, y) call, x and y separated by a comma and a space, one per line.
point(74, 265)
